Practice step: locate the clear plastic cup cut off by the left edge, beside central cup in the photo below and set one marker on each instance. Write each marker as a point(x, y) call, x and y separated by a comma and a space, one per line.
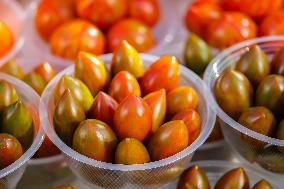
point(10, 175)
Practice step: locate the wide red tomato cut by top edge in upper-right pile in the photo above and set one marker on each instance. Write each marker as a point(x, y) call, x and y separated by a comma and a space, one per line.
point(253, 8)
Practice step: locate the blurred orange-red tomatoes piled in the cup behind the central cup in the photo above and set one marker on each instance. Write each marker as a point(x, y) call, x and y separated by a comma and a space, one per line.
point(96, 26)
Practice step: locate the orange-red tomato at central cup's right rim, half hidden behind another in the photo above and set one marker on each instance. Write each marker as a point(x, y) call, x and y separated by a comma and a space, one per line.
point(192, 121)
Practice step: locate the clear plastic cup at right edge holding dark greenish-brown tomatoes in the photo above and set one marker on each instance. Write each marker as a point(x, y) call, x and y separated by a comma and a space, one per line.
point(267, 156)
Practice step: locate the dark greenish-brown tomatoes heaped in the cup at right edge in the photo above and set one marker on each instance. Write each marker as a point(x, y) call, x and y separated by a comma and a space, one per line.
point(253, 93)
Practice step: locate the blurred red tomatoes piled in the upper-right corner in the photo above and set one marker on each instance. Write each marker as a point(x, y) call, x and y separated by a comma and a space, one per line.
point(222, 23)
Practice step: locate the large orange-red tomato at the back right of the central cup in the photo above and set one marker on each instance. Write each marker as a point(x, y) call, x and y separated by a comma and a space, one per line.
point(163, 73)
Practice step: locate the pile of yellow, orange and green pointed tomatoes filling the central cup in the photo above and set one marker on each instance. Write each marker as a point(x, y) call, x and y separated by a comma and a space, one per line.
point(108, 120)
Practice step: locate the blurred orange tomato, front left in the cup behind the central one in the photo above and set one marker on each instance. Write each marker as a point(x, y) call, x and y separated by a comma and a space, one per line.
point(75, 36)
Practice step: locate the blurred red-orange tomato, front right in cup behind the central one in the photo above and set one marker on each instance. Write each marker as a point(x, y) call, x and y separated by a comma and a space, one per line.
point(136, 33)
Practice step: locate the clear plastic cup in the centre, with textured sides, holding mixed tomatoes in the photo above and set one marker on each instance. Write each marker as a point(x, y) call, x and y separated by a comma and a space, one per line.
point(149, 175)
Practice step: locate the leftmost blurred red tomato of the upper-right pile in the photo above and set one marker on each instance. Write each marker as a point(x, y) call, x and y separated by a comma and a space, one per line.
point(199, 15)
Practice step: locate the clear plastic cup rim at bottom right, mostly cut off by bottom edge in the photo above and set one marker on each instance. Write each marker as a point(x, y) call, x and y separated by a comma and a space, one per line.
point(215, 169)
